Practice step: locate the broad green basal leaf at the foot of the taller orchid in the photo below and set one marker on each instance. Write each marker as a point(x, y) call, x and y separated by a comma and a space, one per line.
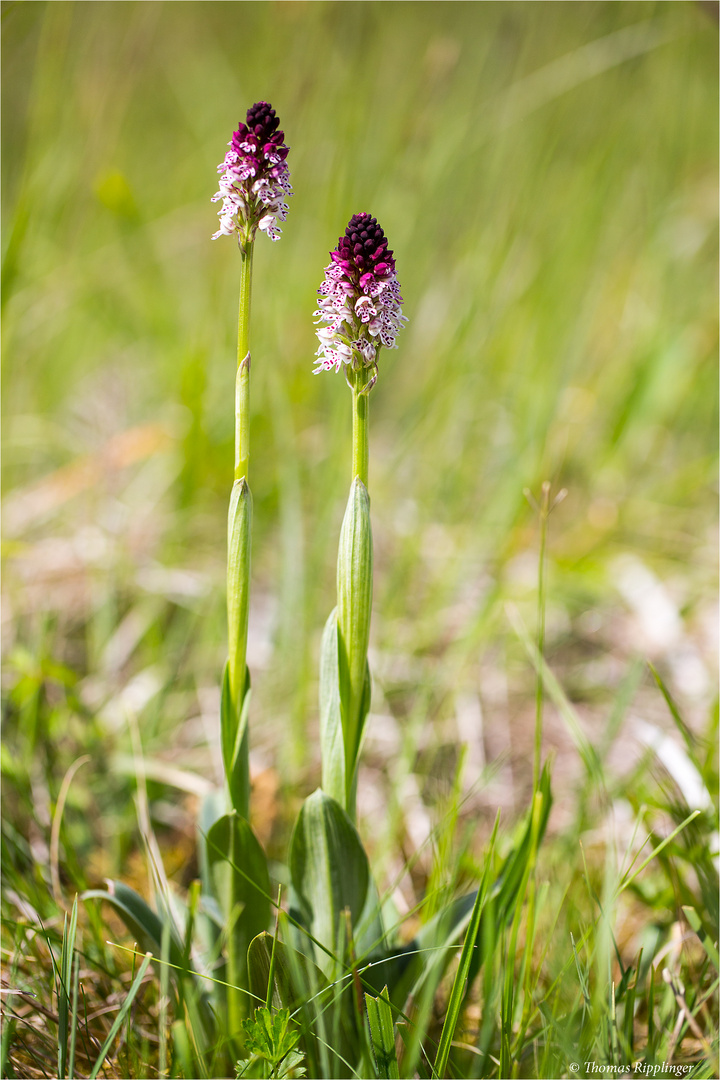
point(241, 885)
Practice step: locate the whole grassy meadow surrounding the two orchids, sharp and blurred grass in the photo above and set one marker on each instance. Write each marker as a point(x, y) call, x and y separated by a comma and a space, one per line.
point(548, 175)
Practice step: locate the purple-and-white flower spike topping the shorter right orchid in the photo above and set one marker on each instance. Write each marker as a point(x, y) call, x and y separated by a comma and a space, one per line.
point(360, 306)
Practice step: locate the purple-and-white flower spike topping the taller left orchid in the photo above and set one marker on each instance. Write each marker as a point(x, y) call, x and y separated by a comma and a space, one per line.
point(255, 179)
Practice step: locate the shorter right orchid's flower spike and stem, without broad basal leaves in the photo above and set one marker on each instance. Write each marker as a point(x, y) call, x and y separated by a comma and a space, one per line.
point(359, 313)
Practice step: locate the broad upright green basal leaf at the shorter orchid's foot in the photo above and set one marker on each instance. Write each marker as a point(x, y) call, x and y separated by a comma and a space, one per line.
point(330, 873)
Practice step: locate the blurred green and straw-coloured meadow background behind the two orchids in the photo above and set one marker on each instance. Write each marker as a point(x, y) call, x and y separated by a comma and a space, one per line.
point(547, 174)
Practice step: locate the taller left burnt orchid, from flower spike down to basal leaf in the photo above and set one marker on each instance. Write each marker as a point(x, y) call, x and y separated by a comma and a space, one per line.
point(254, 184)
